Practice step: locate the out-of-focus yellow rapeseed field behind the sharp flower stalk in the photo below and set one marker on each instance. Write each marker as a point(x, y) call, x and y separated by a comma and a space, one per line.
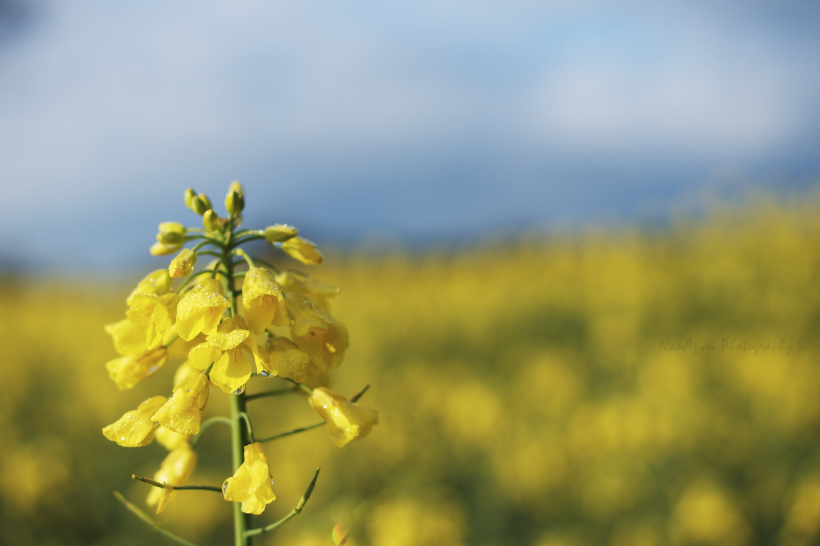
point(615, 387)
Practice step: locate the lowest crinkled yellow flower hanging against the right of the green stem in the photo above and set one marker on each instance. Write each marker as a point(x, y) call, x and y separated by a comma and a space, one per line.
point(251, 485)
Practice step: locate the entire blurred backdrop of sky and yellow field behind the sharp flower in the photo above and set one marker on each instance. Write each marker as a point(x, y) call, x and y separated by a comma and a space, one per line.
point(577, 243)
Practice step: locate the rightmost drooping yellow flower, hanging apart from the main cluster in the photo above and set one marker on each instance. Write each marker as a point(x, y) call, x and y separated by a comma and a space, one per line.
point(346, 421)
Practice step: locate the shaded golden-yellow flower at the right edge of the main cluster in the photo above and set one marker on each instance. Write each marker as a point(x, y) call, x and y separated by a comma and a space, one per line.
point(316, 332)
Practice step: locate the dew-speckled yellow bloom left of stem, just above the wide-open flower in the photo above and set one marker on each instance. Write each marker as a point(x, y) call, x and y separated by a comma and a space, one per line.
point(201, 309)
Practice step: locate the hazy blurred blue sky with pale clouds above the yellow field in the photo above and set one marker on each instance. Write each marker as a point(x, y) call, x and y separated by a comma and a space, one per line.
point(421, 122)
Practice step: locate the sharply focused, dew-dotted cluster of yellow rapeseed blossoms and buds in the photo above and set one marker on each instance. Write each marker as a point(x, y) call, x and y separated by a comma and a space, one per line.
point(231, 321)
